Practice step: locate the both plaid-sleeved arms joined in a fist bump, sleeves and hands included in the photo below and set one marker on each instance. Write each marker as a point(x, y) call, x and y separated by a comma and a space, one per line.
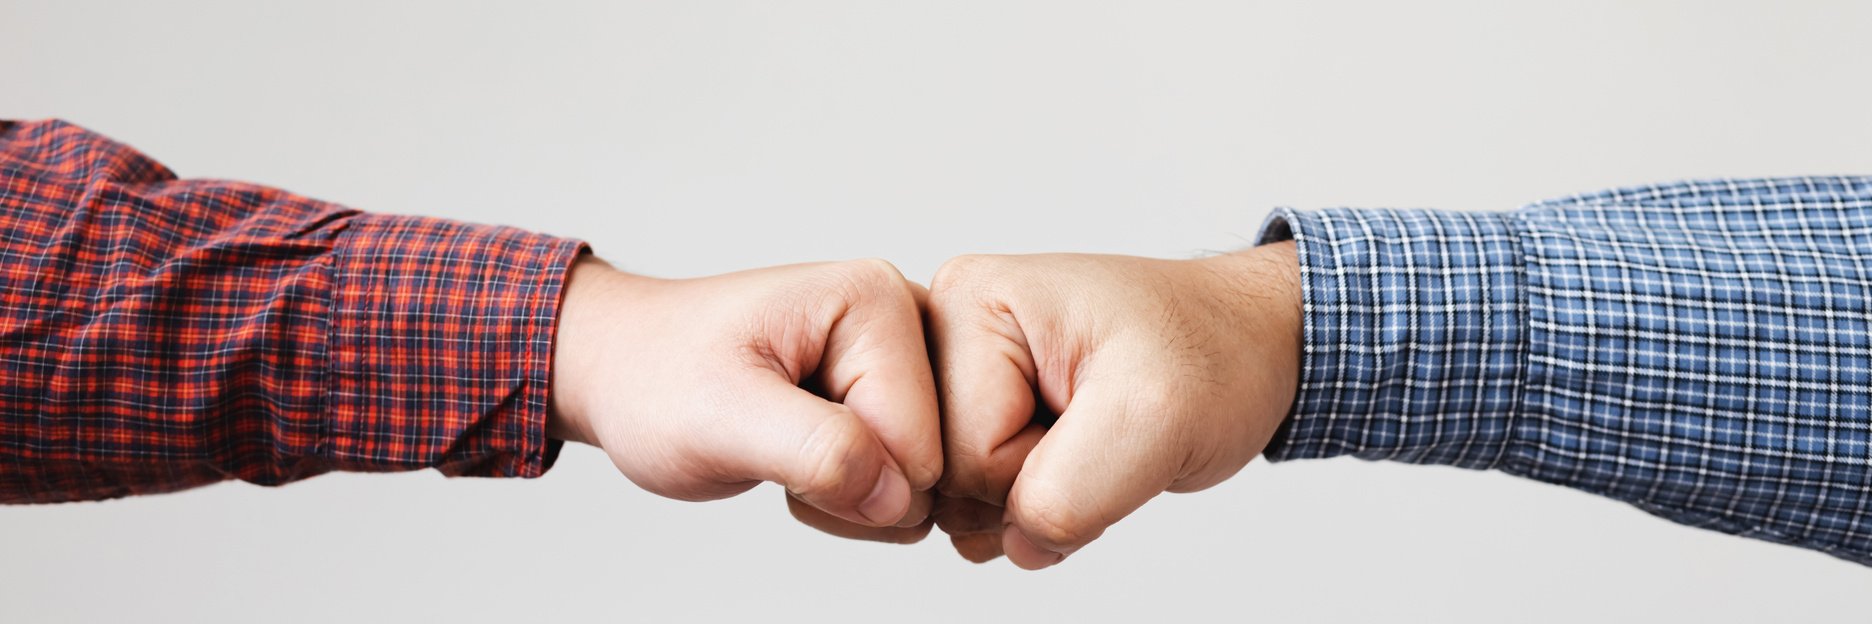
point(1021, 404)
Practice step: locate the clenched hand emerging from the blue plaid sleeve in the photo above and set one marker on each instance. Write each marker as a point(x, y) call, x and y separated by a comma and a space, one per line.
point(1165, 376)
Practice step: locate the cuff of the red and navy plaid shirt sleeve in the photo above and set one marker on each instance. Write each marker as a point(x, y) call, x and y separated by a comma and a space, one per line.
point(441, 346)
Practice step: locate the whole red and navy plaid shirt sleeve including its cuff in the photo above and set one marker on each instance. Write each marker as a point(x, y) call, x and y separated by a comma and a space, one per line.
point(160, 334)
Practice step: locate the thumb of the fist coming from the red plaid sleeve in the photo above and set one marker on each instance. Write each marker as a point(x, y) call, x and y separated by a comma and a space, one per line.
point(821, 453)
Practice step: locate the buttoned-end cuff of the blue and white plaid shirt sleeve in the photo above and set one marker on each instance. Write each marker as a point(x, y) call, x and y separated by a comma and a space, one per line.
point(1414, 334)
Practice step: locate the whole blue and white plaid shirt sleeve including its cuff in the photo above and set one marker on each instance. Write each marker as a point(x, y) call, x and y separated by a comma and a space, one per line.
point(1699, 349)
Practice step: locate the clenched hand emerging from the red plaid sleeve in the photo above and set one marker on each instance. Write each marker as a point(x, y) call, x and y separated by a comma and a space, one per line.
point(812, 376)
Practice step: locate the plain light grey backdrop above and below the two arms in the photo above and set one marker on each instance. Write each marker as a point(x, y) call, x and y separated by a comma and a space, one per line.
point(701, 138)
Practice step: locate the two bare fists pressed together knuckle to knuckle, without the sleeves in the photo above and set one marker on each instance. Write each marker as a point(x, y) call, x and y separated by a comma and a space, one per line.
point(1072, 389)
